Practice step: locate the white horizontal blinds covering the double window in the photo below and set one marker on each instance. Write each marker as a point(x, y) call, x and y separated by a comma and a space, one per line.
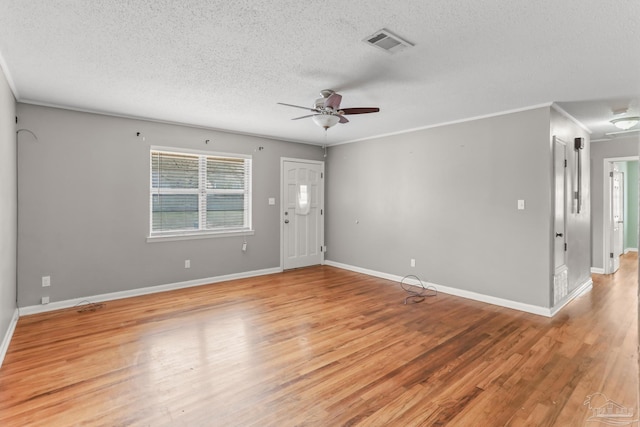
point(199, 193)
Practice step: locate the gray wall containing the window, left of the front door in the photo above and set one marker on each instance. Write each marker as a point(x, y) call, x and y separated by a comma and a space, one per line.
point(84, 200)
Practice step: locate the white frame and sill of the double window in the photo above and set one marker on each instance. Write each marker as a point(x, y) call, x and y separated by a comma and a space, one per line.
point(202, 192)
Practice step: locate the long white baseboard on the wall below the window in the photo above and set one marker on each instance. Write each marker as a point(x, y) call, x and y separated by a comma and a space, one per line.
point(57, 305)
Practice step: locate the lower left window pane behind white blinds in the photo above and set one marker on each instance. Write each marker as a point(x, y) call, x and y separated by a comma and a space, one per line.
point(175, 212)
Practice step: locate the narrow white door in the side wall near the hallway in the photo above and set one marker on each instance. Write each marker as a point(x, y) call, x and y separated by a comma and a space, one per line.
point(559, 229)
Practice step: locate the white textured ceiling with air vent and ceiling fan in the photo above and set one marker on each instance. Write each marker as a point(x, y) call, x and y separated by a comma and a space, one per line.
point(225, 64)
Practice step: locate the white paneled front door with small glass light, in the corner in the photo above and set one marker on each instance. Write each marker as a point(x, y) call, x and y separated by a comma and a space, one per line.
point(303, 213)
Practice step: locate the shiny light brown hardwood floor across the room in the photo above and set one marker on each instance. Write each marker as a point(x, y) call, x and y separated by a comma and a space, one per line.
point(323, 347)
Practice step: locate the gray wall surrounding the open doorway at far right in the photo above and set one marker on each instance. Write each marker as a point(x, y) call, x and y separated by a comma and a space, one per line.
point(619, 147)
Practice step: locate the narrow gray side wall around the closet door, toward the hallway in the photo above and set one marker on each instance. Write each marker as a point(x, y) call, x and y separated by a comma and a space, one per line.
point(577, 224)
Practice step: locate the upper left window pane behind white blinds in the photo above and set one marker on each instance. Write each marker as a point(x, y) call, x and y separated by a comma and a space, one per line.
point(174, 171)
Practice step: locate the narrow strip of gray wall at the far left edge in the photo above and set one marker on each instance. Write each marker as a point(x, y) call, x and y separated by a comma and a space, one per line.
point(8, 205)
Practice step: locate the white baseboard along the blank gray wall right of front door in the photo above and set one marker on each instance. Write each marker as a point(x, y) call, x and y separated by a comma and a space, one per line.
point(528, 308)
